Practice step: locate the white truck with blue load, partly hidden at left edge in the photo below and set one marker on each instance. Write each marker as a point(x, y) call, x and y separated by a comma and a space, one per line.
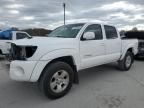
point(8, 36)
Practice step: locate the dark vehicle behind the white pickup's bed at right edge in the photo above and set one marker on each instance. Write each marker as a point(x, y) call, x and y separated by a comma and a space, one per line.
point(136, 35)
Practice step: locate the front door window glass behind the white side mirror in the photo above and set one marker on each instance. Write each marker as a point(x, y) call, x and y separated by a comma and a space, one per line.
point(96, 28)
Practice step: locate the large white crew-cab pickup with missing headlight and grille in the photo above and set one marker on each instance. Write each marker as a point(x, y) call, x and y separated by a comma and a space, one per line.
point(54, 61)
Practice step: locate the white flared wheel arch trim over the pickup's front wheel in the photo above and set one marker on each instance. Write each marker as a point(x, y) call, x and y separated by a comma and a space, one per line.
point(47, 58)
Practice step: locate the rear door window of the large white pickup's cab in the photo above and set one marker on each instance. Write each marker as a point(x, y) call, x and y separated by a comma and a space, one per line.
point(111, 32)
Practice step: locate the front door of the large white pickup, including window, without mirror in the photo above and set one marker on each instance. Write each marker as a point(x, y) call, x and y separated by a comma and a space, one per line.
point(92, 51)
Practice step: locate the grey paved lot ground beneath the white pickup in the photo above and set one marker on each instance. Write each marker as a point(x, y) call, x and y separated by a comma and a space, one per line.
point(100, 87)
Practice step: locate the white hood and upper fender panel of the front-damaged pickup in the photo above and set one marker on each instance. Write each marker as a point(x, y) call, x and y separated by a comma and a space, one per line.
point(46, 45)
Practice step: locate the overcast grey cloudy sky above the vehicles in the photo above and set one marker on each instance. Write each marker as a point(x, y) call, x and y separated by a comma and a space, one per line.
point(49, 13)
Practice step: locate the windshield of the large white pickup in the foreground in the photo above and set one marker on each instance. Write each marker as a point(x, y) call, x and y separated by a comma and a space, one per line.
point(66, 31)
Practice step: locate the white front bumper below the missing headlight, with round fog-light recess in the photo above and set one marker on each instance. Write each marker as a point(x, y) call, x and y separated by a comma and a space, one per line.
point(21, 70)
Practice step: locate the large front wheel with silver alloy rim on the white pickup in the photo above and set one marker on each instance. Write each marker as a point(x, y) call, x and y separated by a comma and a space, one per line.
point(57, 80)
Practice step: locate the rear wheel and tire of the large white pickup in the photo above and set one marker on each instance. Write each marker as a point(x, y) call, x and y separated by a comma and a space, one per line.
point(126, 63)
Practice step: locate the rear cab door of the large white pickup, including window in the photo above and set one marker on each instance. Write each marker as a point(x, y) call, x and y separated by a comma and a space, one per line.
point(113, 43)
